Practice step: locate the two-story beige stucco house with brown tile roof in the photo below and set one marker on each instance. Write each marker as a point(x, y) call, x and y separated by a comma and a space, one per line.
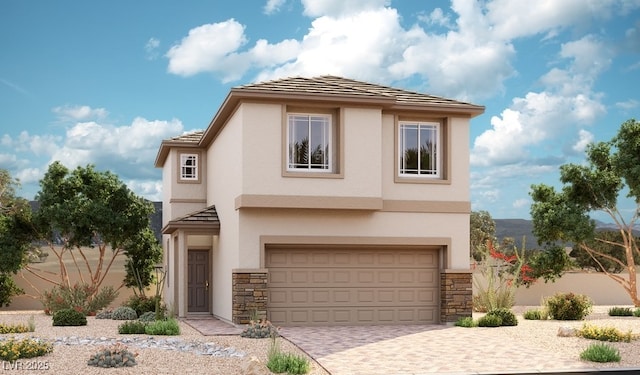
point(321, 201)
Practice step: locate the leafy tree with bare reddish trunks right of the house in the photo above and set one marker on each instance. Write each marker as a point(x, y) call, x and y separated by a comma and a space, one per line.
point(596, 186)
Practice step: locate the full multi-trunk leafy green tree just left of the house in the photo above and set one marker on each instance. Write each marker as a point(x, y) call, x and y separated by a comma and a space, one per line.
point(86, 208)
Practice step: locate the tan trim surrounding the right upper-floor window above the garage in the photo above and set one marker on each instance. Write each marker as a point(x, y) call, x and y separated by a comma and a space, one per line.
point(442, 151)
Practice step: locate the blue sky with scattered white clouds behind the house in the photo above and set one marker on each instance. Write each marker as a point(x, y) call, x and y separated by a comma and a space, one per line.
point(104, 82)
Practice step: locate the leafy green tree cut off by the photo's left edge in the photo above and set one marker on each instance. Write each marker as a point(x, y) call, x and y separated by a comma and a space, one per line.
point(15, 236)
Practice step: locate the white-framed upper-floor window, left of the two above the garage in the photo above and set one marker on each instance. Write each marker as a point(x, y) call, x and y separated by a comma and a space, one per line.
point(309, 140)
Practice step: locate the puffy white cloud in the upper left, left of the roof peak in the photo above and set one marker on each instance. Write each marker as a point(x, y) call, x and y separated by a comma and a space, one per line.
point(209, 48)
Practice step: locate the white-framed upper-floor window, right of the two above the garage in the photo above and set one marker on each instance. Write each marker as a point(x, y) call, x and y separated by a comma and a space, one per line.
point(419, 149)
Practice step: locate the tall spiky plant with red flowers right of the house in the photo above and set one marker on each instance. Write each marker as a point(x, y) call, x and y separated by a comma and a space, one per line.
point(501, 273)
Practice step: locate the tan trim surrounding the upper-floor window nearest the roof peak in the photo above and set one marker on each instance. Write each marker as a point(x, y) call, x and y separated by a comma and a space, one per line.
point(336, 145)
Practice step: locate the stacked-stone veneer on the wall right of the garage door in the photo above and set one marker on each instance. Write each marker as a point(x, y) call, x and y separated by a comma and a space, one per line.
point(456, 295)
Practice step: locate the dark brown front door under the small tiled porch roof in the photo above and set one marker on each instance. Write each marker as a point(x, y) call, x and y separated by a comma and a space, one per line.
point(198, 286)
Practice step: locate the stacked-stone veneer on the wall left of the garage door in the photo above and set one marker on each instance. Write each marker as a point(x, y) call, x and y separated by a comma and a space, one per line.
point(249, 293)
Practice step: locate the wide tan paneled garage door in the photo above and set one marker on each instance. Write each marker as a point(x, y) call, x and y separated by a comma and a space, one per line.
point(352, 285)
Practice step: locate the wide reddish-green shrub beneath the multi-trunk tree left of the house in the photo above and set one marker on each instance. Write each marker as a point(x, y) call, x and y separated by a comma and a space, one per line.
point(79, 297)
